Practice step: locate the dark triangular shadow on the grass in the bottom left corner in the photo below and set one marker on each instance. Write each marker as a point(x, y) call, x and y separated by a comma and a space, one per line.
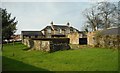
point(14, 65)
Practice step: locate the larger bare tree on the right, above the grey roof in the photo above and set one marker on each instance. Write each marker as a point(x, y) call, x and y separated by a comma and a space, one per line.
point(108, 13)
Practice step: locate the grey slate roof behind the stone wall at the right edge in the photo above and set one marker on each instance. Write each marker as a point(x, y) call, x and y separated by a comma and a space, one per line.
point(111, 31)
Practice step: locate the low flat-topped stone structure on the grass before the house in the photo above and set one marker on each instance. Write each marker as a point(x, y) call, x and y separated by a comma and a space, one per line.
point(48, 44)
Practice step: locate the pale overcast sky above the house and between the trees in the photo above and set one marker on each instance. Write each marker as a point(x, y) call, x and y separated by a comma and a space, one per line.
point(33, 15)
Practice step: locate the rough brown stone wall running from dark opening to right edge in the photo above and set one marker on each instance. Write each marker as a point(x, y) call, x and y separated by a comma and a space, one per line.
point(96, 39)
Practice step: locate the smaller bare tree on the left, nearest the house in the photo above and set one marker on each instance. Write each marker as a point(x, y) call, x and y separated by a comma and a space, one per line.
point(93, 20)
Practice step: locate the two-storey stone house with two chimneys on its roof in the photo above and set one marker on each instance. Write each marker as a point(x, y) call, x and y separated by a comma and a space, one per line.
point(58, 30)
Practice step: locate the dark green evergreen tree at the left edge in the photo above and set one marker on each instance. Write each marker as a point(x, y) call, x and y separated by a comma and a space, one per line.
point(8, 24)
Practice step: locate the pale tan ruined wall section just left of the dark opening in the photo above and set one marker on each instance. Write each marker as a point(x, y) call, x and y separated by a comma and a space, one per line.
point(74, 38)
